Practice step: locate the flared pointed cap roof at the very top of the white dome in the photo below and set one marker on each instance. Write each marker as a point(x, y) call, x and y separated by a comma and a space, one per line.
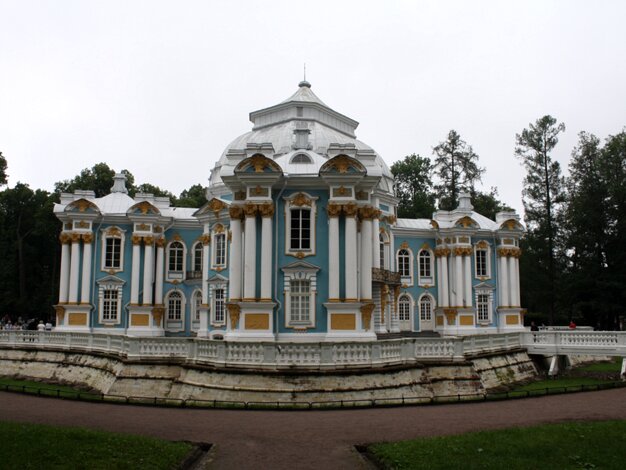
point(303, 106)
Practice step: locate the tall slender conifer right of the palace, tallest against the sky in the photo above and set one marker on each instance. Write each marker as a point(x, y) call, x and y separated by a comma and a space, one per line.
point(542, 198)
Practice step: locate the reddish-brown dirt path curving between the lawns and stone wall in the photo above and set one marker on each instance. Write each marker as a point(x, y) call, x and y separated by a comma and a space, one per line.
point(315, 440)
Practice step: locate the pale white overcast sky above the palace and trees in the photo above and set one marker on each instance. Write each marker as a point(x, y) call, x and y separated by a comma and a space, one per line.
point(160, 88)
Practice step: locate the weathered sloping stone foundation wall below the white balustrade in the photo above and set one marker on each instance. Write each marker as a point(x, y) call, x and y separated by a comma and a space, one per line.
point(113, 376)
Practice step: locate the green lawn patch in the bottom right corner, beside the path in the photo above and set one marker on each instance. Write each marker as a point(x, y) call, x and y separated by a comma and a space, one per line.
point(558, 446)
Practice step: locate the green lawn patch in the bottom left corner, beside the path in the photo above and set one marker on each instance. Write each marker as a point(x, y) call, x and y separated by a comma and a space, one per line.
point(36, 446)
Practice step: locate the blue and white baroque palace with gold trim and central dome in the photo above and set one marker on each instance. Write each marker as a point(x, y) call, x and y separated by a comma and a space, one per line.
point(299, 241)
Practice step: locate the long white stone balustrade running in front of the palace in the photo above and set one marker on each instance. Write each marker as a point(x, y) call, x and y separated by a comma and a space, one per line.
point(320, 355)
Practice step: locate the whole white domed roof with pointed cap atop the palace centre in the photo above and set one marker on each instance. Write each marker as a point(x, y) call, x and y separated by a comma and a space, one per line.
point(302, 124)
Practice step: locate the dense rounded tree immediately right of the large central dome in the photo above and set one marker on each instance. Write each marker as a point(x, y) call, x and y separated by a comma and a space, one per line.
point(414, 187)
